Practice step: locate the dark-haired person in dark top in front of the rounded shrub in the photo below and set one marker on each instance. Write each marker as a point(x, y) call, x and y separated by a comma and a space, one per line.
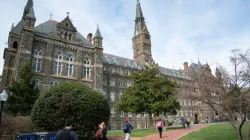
point(66, 133)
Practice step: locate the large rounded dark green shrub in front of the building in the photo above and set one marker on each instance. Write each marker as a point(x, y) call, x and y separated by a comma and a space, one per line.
point(86, 106)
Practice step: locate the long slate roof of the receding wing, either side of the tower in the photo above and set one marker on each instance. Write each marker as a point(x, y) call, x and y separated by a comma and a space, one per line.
point(129, 63)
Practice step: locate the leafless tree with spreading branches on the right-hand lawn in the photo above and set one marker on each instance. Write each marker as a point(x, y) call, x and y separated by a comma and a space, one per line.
point(226, 92)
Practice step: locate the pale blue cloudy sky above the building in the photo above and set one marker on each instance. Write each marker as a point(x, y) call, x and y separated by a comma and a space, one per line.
point(181, 30)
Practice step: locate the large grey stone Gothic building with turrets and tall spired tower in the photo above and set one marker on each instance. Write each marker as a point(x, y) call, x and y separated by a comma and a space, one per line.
point(59, 53)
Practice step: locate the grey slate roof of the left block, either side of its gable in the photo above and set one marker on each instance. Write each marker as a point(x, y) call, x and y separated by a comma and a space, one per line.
point(50, 26)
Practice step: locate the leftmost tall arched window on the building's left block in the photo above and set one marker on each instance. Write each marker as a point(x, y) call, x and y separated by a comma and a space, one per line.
point(37, 60)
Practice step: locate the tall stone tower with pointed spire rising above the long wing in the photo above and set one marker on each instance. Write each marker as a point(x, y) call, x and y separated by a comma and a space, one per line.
point(141, 39)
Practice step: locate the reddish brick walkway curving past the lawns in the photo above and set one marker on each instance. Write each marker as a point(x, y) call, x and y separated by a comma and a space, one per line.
point(166, 135)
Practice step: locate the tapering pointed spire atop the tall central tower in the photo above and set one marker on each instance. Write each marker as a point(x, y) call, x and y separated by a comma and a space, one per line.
point(139, 19)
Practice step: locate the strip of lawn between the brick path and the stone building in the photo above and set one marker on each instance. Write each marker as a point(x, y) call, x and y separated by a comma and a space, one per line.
point(138, 133)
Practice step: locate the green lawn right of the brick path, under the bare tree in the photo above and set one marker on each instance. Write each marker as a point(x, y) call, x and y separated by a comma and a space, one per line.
point(223, 131)
